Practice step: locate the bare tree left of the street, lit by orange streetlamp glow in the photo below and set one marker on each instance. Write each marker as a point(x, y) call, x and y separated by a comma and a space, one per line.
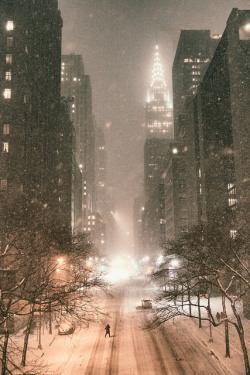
point(40, 278)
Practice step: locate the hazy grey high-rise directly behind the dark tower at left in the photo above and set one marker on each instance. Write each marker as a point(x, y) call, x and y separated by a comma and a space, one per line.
point(76, 87)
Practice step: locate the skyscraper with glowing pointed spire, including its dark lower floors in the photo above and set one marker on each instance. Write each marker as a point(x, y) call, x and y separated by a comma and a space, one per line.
point(159, 133)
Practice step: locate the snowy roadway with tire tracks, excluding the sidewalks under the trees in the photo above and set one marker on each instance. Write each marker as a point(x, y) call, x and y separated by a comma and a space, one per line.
point(131, 350)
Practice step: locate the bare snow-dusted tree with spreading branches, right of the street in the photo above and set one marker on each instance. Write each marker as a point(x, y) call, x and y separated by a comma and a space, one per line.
point(209, 261)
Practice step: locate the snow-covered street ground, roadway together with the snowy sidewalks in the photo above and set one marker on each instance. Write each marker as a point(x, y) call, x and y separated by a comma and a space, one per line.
point(178, 347)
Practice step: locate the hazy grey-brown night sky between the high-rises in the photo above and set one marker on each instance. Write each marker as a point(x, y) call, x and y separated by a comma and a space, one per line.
point(116, 39)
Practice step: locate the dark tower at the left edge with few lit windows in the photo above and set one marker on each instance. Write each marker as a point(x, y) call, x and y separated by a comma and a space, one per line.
point(30, 104)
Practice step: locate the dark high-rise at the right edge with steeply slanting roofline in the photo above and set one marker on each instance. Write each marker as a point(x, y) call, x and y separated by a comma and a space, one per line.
point(220, 119)
